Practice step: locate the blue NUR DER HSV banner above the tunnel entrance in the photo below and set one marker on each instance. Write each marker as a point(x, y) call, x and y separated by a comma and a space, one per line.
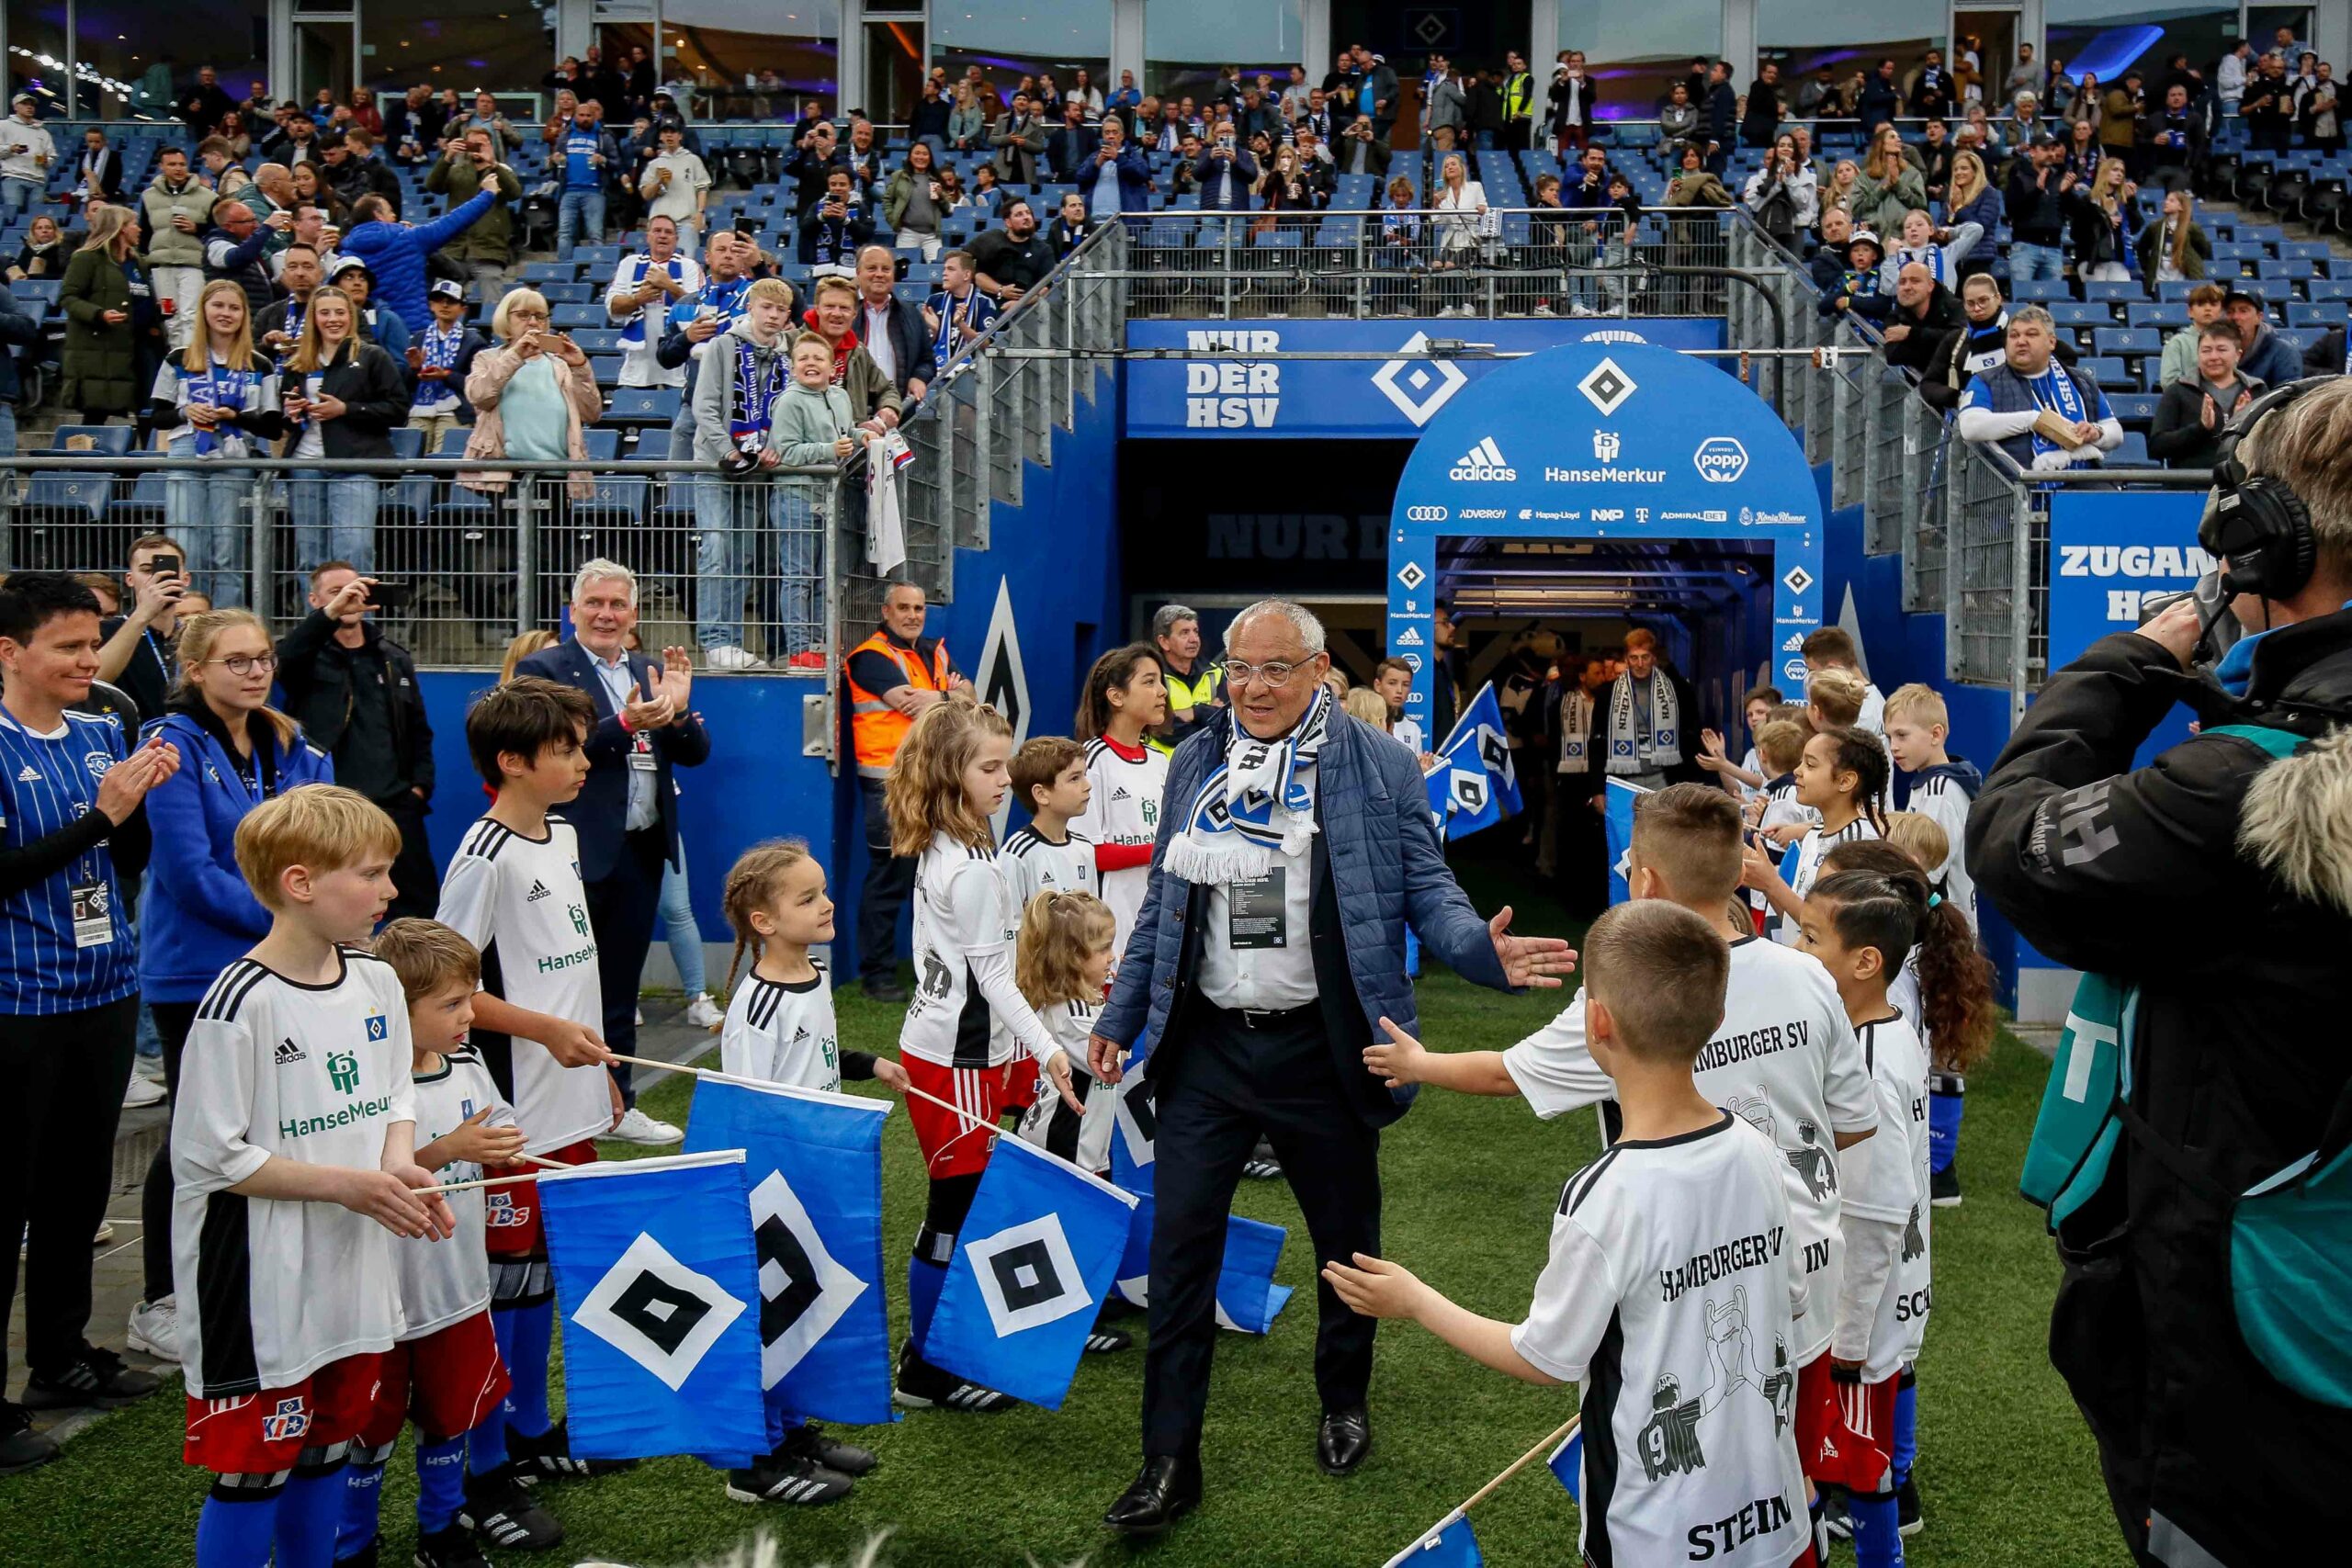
point(1375, 398)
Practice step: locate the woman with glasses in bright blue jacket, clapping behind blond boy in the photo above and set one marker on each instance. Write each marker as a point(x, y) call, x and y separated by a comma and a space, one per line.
point(199, 913)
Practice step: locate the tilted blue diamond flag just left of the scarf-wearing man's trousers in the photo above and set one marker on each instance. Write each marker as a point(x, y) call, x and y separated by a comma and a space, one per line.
point(1029, 1275)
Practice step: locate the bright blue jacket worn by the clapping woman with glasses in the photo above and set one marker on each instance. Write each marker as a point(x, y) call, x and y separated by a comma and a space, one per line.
point(199, 916)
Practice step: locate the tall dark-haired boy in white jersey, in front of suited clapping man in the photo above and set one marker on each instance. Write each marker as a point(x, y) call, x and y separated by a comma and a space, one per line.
point(514, 890)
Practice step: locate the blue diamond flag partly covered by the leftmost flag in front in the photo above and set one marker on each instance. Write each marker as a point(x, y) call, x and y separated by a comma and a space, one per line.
point(815, 1177)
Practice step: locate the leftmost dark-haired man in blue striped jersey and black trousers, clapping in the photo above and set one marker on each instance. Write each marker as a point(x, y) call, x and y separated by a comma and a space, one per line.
point(72, 836)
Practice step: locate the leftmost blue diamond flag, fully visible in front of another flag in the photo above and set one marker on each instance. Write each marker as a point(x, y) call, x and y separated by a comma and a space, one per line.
point(660, 1294)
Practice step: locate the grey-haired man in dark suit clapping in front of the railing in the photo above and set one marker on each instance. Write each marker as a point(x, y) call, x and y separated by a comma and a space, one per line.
point(627, 815)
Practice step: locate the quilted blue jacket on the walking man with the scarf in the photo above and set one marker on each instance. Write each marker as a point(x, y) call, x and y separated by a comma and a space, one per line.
point(1379, 869)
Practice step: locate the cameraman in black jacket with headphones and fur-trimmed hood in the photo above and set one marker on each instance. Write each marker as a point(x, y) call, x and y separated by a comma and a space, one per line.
point(2238, 1040)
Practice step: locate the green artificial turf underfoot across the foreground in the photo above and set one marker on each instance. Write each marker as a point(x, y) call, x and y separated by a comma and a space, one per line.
point(2005, 1466)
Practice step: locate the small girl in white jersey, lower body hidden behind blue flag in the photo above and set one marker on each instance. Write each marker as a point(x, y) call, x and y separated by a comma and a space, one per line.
point(780, 1028)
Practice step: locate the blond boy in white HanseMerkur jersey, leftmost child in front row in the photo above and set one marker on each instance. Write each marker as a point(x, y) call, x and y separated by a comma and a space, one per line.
point(295, 1160)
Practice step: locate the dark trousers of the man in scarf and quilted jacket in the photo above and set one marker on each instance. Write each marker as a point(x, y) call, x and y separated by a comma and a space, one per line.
point(1227, 1090)
